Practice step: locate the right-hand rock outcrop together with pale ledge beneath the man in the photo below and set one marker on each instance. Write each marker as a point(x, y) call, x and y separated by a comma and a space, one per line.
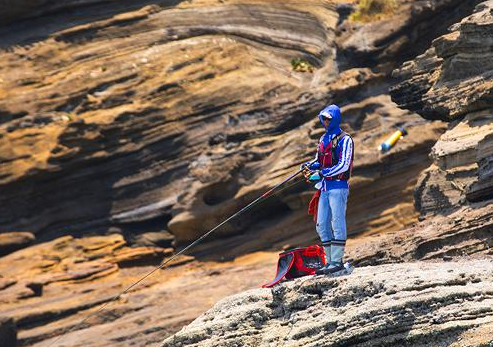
point(427, 304)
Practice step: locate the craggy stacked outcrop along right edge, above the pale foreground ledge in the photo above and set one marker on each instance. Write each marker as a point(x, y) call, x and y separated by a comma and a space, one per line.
point(452, 81)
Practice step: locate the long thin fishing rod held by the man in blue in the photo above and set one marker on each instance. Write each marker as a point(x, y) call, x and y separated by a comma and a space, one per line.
point(169, 260)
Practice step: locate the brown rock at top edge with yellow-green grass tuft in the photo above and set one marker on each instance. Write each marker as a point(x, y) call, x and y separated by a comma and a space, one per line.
point(399, 37)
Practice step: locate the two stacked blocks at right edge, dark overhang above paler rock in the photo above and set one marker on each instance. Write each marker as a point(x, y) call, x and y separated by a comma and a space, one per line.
point(452, 81)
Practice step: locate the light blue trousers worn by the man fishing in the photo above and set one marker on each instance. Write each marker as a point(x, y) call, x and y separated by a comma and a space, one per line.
point(331, 215)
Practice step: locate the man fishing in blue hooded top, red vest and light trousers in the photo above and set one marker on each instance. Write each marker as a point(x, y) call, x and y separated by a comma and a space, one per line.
point(332, 169)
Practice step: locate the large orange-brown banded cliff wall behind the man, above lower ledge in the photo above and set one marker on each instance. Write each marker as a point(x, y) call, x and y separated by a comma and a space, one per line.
point(170, 117)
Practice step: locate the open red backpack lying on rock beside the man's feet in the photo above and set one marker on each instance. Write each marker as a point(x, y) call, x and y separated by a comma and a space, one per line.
point(298, 262)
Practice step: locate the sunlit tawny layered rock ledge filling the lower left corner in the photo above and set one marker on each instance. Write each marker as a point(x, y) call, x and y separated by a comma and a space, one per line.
point(47, 290)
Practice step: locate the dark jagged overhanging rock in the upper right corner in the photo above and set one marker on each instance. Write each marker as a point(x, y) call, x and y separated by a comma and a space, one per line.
point(458, 66)
